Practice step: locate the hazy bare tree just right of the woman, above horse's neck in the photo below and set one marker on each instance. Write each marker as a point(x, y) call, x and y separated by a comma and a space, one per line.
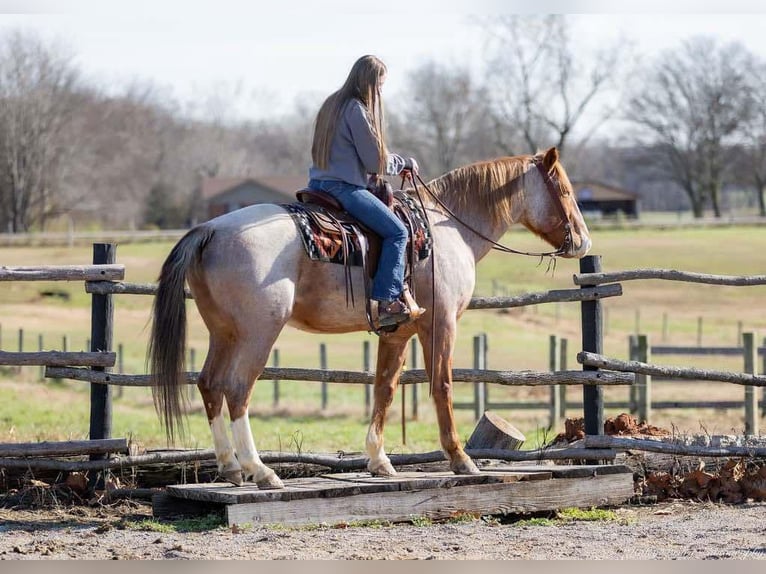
point(437, 115)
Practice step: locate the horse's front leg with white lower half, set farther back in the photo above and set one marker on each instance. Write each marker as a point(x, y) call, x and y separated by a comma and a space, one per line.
point(391, 353)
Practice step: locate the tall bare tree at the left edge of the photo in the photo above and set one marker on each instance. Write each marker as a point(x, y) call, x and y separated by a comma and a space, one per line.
point(37, 85)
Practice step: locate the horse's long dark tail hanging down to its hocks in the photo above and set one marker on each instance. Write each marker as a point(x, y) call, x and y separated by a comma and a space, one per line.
point(167, 344)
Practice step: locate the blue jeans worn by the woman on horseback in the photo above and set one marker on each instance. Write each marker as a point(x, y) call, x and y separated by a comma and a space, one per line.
point(364, 206)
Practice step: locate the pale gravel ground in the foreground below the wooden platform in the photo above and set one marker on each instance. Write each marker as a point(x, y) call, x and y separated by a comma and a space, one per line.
point(674, 530)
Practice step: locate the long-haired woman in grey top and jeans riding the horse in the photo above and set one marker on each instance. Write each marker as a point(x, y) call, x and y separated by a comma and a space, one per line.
point(348, 148)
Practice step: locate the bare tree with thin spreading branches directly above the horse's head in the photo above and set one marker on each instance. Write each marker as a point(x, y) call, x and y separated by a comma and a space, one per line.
point(540, 89)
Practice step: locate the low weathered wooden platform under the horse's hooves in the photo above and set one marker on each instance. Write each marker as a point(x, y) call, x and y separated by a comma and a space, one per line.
point(334, 498)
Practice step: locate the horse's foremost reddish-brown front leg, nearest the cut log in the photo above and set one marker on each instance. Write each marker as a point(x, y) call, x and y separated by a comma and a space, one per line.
point(440, 375)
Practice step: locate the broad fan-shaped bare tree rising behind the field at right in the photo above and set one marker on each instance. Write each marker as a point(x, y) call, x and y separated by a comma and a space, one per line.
point(692, 107)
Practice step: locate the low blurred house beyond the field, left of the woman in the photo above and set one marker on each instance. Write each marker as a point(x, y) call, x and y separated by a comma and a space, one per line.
point(225, 194)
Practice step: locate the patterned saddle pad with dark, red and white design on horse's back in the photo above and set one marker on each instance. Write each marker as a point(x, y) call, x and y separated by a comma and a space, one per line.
point(325, 231)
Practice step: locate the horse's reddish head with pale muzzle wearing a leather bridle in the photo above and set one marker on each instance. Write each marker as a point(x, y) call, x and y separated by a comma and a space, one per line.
point(551, 207)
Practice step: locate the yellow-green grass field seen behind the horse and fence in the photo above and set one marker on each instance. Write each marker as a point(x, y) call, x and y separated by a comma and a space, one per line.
point(518, 339)
